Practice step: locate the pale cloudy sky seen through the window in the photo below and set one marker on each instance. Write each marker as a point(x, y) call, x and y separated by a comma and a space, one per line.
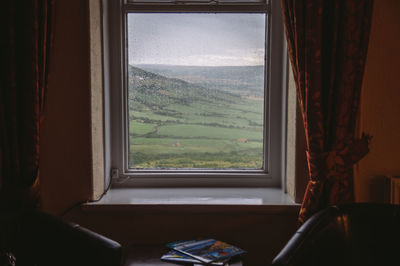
point(205, 39)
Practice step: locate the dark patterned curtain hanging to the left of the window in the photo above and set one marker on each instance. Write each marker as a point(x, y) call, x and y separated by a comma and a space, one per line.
point(24, 52)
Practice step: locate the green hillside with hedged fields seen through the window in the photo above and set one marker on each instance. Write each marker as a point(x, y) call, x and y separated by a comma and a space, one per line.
point(178, 124)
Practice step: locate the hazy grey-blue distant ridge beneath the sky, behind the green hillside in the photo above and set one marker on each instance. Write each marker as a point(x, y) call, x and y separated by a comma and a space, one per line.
point(245, 80)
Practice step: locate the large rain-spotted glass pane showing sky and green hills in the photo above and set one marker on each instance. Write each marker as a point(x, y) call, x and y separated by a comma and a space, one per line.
point(196, 90)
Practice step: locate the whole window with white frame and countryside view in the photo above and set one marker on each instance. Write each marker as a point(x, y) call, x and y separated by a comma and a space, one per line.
point(195, 92)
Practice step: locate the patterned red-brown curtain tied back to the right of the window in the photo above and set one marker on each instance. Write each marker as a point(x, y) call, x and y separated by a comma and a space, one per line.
point(328, 41)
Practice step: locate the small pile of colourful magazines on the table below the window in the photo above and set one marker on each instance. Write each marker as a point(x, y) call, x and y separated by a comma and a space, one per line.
point(207, 250)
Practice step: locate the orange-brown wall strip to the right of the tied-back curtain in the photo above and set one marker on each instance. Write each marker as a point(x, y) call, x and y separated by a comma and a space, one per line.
point(380, 108)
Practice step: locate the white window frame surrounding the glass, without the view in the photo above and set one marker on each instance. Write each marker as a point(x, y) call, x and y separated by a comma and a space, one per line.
point(116, 100)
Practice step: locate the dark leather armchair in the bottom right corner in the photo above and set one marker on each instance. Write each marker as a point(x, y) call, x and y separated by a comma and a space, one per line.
point(355, 234)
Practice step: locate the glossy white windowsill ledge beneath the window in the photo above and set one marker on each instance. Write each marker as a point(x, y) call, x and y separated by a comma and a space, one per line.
point(195, 200)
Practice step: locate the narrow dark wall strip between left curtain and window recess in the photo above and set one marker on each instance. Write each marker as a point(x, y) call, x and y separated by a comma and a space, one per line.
point(65, 167)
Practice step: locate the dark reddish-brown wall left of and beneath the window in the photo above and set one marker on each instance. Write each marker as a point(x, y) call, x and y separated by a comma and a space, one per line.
point(67, 161)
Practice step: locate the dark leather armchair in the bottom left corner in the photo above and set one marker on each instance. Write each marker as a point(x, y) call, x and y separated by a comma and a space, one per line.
point(37, 238)
